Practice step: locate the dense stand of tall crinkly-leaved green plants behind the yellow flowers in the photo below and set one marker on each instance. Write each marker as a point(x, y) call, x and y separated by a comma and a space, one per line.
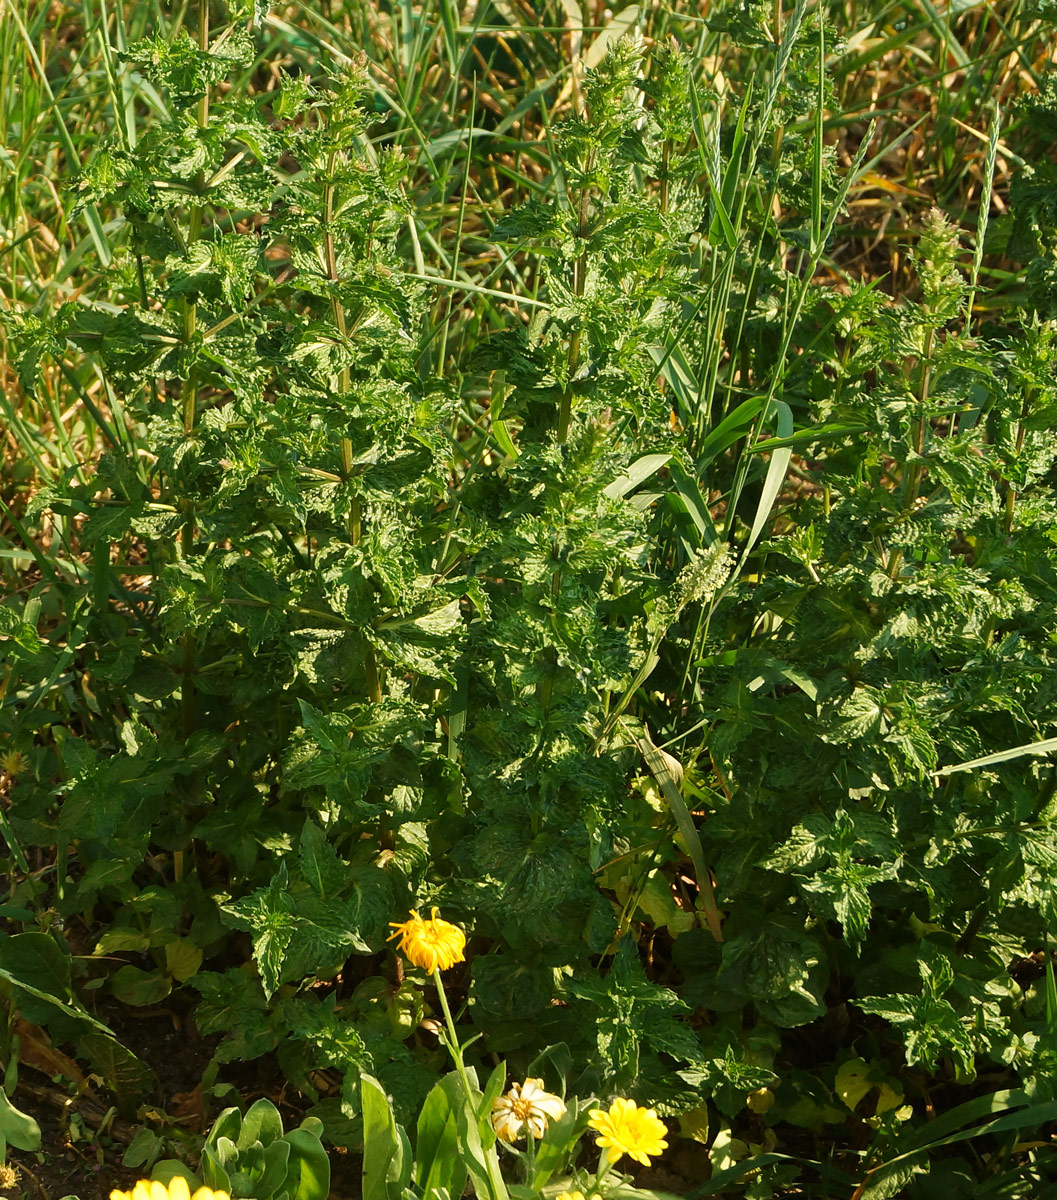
point(640, 598)
